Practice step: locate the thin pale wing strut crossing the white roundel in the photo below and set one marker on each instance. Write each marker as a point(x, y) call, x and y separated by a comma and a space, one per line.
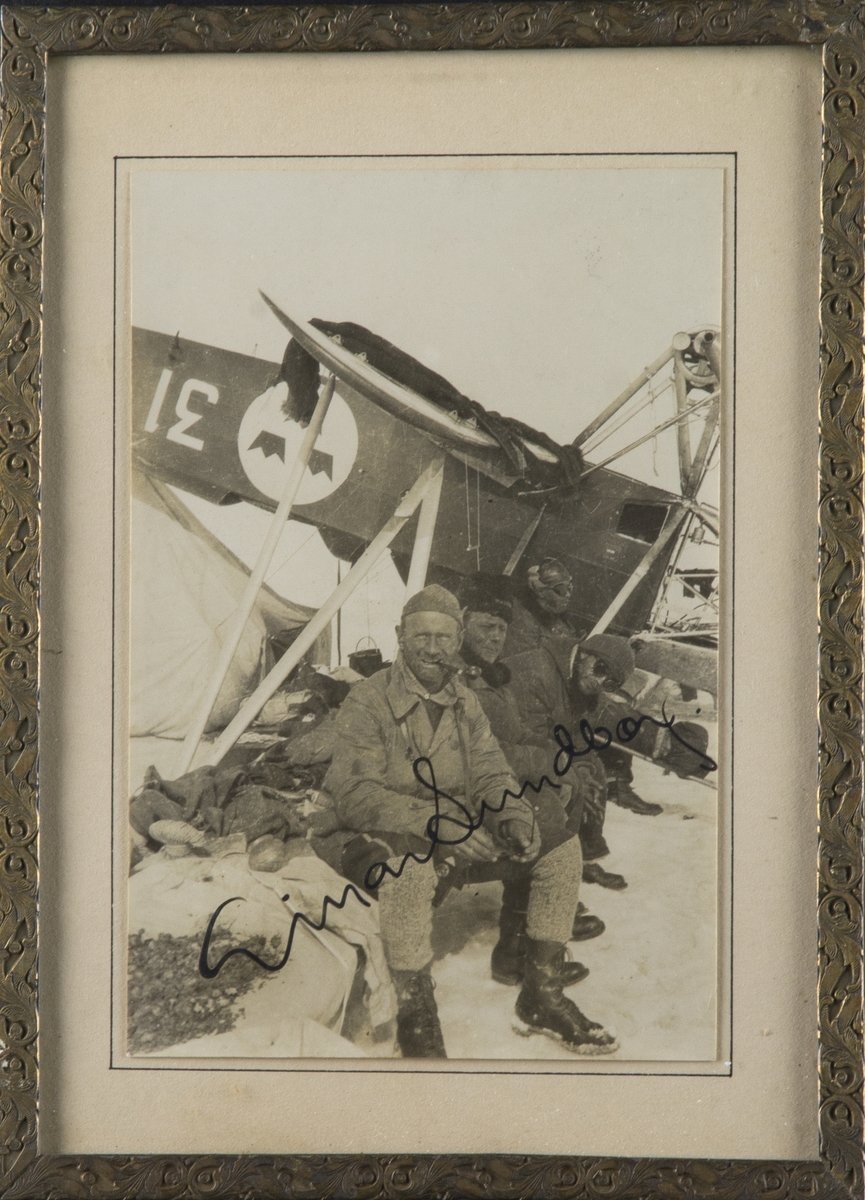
point(254, 585)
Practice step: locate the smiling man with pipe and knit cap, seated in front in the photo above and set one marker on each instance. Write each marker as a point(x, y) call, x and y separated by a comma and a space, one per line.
point(394, 731)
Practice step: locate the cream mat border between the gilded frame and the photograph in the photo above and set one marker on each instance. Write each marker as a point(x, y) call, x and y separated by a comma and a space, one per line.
point(447, 105)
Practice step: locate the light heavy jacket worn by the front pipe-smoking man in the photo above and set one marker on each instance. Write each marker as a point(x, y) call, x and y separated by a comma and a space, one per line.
point(383, 729)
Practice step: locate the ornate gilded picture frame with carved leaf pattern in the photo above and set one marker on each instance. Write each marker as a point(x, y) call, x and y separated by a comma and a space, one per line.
point(29, 38)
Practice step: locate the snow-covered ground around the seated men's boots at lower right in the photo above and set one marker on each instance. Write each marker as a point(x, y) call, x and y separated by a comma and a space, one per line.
point(653, 973)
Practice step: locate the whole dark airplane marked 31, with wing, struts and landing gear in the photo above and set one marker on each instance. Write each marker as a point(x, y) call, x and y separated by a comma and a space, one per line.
point(351, 435)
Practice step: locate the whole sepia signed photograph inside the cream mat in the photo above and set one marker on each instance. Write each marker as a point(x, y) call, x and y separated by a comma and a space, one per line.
point(425, 752)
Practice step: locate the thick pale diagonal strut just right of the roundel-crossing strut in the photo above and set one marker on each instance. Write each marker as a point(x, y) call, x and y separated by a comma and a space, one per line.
point(253, 706)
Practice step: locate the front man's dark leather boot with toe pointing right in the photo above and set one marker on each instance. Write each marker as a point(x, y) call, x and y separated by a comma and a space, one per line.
point(543, 1009)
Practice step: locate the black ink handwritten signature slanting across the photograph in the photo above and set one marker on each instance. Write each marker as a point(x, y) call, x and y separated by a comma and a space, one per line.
point(596, 740)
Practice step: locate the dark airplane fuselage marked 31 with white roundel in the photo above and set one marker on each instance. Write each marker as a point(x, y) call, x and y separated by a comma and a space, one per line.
point(211, 422)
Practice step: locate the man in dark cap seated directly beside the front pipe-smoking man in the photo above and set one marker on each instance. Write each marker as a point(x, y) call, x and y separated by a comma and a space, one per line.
point(488, 614)
